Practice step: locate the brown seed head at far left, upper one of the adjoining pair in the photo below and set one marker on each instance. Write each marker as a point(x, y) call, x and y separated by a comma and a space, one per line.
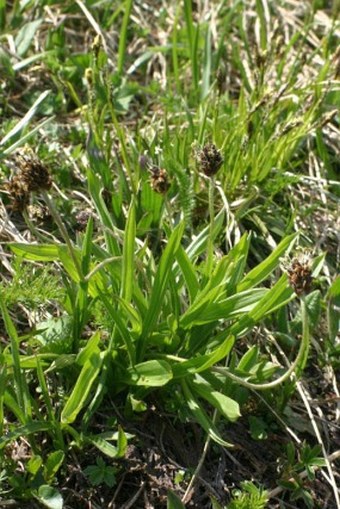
point(33, 174)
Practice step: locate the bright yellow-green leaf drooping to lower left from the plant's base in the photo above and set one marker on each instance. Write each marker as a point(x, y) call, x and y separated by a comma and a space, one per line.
point(81, 390)
